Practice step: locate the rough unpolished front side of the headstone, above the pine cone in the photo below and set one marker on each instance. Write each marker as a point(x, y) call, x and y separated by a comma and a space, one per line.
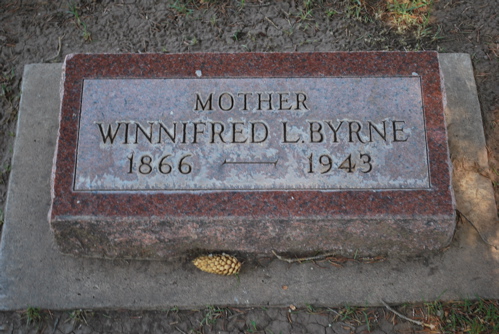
point(103, 238)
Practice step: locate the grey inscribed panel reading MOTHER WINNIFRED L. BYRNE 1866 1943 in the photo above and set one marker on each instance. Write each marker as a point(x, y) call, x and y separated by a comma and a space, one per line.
point(252, 133)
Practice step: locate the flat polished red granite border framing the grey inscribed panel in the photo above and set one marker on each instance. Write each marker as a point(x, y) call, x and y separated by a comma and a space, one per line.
point(266, 205)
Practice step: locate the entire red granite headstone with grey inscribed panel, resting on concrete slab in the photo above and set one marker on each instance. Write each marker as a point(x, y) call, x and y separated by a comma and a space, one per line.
point(294, 152)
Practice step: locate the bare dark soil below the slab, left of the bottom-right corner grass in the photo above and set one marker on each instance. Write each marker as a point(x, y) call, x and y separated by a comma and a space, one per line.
point(228, 320)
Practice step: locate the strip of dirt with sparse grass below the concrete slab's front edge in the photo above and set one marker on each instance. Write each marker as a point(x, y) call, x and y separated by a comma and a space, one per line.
point(423, 318)
